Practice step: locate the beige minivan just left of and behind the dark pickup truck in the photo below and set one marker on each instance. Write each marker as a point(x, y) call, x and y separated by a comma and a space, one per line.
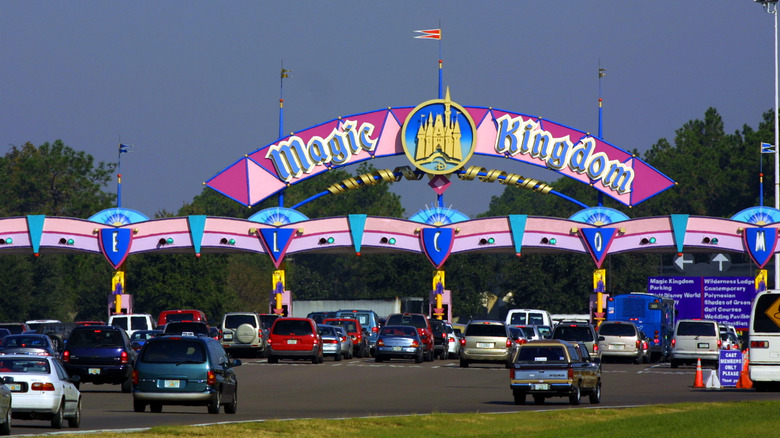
point(487, 341)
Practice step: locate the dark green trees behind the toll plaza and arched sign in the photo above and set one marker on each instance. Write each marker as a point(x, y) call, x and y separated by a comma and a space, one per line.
point(717, 175)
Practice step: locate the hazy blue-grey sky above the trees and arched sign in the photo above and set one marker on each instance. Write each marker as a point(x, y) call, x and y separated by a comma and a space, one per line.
point(194, 85)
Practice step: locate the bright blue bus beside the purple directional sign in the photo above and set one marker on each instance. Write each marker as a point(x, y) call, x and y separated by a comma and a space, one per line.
point(652, 314)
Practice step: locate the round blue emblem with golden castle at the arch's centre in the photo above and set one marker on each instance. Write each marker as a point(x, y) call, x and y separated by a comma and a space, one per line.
point(439, 136)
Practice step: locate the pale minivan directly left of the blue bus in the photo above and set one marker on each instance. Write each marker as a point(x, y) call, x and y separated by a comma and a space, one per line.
point(623, 340)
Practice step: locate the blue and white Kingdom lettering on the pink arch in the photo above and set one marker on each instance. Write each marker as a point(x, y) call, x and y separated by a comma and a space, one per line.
point(558, 153)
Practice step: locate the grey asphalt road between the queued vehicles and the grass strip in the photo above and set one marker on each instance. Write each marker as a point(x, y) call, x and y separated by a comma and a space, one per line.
point(361, 387)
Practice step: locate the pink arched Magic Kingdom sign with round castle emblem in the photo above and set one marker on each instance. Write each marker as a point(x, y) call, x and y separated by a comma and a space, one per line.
point(439, 137)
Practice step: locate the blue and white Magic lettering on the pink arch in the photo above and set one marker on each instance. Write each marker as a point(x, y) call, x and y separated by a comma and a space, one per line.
point(292, 157)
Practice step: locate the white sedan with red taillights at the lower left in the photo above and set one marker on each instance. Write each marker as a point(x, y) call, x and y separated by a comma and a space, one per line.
point(41, 390)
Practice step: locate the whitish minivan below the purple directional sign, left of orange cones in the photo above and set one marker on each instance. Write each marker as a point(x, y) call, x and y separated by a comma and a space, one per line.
point(695, 339)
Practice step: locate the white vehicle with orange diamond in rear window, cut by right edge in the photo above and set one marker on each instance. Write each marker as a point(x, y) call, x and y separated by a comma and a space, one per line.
point(764, 332)
